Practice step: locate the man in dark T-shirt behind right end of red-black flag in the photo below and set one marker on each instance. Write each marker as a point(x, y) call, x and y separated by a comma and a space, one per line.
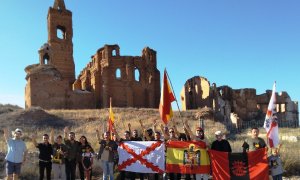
point(254, 142)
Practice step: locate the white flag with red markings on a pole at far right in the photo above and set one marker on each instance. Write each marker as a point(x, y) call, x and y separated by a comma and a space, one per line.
point(271, 124)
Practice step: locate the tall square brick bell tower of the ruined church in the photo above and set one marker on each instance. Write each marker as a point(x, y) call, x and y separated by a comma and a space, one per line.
point(60, 34)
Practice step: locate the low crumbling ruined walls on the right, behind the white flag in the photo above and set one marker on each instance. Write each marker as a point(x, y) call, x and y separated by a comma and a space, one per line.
point(235, 104)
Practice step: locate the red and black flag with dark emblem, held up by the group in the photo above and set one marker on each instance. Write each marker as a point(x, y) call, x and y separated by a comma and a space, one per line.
point(240, 166)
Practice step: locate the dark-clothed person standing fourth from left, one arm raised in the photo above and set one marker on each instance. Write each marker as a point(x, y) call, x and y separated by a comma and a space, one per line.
point(73, 149)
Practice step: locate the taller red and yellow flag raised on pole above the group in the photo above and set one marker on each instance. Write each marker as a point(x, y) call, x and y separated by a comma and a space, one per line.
point(166, 98)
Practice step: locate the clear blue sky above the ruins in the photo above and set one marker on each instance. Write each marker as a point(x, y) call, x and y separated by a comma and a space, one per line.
point(243, 44)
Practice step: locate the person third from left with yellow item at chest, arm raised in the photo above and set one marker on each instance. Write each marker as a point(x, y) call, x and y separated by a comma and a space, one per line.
point(58, 160)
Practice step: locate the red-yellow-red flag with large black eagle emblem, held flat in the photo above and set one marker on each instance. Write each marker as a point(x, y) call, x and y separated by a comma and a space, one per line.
point(187, 157)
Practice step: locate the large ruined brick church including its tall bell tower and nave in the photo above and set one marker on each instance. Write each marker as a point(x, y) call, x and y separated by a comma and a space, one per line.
point(131, 81)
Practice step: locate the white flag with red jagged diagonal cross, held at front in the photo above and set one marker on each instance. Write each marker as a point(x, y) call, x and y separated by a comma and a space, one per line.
point(142, 156)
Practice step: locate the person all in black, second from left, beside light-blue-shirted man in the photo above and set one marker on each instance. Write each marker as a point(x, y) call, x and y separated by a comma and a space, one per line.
point(46, 151)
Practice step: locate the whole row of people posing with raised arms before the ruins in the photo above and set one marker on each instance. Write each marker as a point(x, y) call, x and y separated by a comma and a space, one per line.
point(62, 154)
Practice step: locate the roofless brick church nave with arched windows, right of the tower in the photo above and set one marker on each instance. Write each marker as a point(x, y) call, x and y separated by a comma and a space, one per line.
point(131, 81)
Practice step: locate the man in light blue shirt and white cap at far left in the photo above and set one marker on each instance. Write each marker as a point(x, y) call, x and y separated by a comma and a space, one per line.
point(16, 154)
